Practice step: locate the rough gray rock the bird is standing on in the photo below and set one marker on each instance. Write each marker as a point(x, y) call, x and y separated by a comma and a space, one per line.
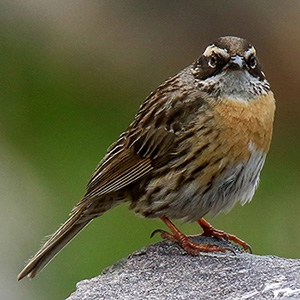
point(165, 271)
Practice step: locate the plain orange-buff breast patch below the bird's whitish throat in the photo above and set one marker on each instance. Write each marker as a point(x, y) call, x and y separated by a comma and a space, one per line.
point(242, 123)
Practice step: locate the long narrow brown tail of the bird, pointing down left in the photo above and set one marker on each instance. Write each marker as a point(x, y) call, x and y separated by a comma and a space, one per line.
point(55, 243)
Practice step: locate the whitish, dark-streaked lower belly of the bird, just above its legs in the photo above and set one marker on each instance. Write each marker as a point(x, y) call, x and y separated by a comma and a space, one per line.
point(237, 184)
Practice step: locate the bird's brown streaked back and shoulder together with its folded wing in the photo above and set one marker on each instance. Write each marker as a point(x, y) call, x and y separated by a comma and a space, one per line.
point(149, 141)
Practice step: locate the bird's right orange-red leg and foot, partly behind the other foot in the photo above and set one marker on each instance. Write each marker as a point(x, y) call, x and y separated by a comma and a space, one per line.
point(209, 230)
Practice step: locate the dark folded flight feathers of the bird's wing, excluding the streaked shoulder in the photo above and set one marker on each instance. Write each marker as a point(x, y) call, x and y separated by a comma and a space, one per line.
point(130, 159)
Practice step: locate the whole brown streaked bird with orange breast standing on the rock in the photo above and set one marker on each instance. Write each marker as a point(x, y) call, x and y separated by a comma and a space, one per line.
point(196, 146)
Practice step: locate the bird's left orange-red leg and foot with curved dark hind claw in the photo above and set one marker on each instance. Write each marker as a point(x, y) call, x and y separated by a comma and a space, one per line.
point(189, 246)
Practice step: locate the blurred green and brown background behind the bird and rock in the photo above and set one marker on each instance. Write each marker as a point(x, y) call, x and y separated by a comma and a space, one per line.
point(73, 74)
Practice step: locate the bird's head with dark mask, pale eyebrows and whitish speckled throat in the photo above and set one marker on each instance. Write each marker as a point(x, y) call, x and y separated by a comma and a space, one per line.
point(230, 68)
